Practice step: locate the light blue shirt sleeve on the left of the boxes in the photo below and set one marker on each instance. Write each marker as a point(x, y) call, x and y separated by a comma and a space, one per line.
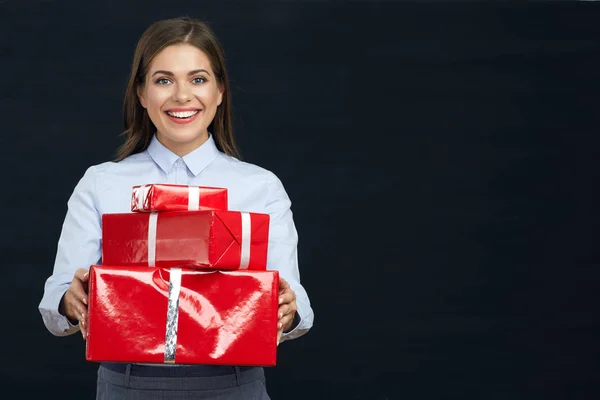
point(79, 246)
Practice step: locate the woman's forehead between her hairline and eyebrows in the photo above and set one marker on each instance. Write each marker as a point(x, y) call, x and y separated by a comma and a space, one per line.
point(180, 58)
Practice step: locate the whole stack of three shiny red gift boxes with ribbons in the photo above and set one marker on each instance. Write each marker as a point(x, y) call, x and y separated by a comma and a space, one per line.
point(183, 280)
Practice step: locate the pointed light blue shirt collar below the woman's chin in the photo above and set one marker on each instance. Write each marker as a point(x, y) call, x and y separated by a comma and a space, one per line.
point(196, 161)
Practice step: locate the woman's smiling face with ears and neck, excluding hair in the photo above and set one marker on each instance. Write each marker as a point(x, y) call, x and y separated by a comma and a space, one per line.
point(181, 95)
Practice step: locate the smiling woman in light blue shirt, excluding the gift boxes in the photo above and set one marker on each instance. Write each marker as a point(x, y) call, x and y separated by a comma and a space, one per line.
point(177, 114)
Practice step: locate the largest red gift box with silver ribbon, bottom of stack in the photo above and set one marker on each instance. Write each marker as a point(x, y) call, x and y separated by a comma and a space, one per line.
point(182, 316)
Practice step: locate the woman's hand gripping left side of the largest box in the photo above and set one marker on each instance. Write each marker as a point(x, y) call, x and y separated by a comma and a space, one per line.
point(74, 302)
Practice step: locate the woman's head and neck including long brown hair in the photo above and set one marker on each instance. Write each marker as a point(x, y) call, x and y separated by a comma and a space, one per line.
point(178, 68)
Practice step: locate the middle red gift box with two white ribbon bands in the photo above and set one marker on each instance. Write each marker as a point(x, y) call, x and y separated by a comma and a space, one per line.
point(187, 239)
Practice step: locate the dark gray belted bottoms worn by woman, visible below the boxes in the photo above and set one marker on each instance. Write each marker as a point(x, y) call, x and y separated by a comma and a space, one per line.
point(237, 384)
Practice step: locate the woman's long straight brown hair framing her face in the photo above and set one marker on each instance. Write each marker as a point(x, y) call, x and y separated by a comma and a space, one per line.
point(139, 129)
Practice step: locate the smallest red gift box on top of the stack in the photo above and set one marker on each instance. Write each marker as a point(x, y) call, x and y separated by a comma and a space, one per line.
point(168, 197)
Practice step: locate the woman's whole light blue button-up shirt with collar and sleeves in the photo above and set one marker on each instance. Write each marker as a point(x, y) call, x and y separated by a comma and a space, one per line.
point(106, 188)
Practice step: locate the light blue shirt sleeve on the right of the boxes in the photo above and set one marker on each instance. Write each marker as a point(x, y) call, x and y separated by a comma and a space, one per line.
point(283, 253)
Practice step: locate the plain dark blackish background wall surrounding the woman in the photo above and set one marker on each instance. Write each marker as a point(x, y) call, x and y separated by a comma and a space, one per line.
point(442, 159)
